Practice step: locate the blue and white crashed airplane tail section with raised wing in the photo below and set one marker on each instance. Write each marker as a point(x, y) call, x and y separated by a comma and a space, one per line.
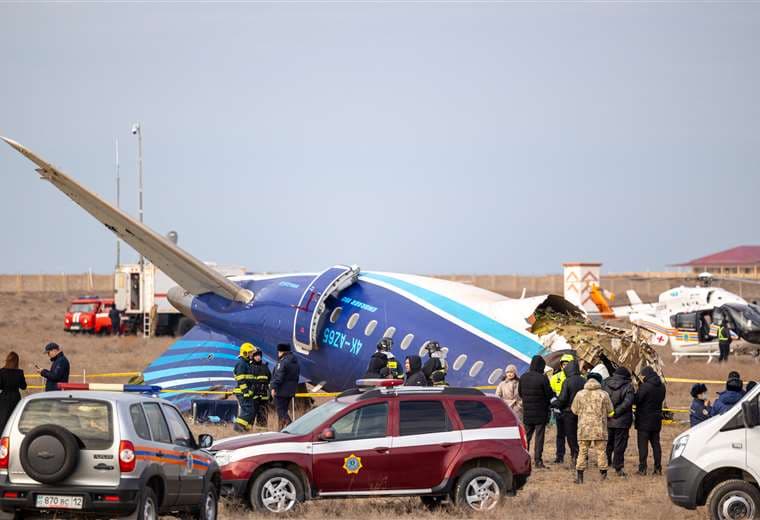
point(333, 319)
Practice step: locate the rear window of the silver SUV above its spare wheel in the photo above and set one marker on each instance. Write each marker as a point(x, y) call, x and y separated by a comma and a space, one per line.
point(90, 421)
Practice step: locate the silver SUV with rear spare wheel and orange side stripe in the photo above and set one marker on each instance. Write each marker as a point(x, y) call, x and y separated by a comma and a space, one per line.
point(104, 454)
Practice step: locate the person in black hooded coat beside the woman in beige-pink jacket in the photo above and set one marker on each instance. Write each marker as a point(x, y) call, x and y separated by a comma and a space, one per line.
point(536, 393)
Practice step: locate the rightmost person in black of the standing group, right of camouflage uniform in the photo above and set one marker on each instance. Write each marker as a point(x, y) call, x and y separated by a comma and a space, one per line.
point(649, 400)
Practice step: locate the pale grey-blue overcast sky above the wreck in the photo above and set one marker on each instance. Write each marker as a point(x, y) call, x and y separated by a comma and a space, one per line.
point(431, 138)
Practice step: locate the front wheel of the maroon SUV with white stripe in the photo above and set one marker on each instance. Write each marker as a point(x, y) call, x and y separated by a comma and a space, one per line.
point(276, 491)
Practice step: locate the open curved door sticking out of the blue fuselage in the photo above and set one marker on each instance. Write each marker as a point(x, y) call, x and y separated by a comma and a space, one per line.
point(312, 304)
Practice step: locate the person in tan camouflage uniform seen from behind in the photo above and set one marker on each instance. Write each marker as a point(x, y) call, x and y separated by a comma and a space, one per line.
point(592, 405)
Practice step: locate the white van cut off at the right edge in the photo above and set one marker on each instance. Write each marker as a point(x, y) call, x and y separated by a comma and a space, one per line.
point(717, 463)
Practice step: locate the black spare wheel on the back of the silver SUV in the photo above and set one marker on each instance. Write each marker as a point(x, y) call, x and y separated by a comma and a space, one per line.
point(49, 438)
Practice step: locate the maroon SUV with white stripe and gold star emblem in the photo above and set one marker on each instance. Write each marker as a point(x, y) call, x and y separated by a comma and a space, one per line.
point(439, 443)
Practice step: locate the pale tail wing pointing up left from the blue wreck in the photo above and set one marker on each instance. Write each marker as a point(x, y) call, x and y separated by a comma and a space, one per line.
point(192, 274)
